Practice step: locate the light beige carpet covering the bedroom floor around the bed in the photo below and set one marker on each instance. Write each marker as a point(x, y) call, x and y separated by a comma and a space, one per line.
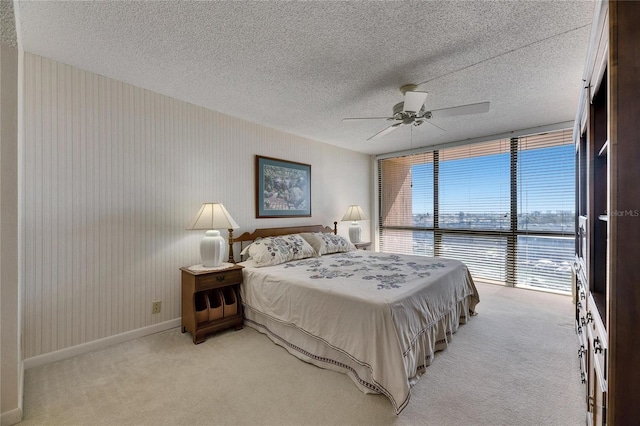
point(515, 363)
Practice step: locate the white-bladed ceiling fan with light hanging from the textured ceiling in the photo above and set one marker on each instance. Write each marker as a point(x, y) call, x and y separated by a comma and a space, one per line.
point(412, 111)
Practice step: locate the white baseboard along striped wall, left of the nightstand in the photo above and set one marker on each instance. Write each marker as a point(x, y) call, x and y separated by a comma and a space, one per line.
point(83, 348)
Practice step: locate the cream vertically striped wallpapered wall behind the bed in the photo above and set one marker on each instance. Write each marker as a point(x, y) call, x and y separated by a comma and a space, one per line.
point(111, 174)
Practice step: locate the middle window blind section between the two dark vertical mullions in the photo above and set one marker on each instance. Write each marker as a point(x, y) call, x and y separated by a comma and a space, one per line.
point(474, 195)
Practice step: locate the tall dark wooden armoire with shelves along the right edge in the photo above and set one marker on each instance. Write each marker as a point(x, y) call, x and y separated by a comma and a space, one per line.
point(607, 266)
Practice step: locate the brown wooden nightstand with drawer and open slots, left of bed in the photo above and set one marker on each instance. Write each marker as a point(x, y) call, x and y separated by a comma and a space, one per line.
point(197, 286)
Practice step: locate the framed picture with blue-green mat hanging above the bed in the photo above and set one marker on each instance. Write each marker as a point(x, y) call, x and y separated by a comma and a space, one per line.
point(283, 188)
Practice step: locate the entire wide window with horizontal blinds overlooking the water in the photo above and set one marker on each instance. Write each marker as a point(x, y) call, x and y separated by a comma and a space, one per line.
point(505, 208)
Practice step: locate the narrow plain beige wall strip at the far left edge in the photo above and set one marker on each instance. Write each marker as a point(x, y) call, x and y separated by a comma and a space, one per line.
point(10, 354)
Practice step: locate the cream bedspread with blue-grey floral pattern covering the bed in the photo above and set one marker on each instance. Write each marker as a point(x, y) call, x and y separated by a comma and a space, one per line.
point(386, 313)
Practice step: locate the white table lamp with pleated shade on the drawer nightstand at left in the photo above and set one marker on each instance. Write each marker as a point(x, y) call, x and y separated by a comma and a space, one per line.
point(212, 216)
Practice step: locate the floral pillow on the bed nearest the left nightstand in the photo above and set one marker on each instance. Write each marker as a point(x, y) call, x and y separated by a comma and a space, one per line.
point(275, 250)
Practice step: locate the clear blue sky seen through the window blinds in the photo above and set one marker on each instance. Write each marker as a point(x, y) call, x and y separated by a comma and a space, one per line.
point(481, 185)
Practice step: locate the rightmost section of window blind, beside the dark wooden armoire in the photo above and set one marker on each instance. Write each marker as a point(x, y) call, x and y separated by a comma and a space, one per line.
point(546, 204)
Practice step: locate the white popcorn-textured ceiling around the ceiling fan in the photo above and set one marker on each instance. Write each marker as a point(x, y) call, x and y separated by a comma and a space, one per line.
point(303, 66)
